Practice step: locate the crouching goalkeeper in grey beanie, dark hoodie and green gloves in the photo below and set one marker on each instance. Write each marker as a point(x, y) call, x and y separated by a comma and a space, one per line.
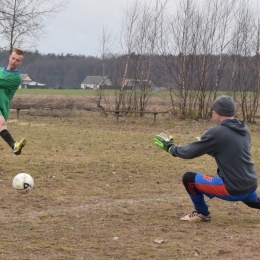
point(229, 143)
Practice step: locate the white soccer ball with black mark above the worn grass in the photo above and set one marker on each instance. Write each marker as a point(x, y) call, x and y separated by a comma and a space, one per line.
point(23, 182)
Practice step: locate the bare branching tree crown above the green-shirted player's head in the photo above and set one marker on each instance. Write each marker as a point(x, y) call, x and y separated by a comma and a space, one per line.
point(22, 21)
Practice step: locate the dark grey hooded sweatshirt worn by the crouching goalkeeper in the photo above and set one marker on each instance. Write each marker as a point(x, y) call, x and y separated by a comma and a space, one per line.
point(229, 143)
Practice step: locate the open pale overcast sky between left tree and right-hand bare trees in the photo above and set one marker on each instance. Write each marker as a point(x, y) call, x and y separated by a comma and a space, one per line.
point(76, 29)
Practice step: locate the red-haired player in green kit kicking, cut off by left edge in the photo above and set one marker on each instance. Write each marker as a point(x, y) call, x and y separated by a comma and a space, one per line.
point(10, 80)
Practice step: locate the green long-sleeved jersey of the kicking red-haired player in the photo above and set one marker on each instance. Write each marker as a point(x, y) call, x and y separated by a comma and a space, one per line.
point(9, 83)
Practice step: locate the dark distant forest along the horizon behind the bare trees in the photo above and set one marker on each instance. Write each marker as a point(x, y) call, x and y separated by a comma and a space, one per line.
point(68, 71)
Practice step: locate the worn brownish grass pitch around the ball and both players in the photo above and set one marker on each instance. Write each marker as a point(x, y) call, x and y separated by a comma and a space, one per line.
point(104, 191)
